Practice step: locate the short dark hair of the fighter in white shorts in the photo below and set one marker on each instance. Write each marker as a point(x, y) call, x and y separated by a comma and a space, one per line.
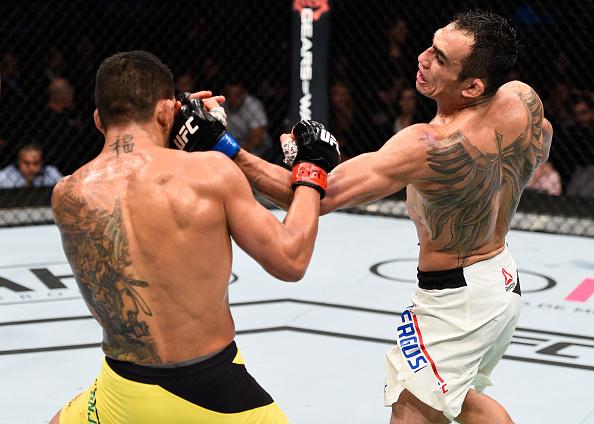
point(495, 47)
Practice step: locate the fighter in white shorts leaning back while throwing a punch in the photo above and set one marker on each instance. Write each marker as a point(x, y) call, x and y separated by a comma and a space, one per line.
point(464, 173)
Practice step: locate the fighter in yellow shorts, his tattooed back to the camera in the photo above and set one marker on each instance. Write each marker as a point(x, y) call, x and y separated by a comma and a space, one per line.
point(147, 231)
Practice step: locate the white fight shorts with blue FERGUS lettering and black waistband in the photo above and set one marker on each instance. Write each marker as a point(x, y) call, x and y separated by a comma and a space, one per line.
point(459, 325)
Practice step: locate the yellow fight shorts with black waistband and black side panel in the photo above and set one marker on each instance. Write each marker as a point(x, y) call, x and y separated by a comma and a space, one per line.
point(216, 390)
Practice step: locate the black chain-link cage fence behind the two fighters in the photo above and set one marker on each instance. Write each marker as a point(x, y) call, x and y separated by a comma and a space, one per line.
point(50, 51)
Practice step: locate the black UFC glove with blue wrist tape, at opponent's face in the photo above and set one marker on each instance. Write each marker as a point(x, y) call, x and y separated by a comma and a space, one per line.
point(195, 129)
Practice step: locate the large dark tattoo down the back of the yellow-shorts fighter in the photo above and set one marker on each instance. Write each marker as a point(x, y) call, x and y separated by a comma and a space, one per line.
point(96, 246)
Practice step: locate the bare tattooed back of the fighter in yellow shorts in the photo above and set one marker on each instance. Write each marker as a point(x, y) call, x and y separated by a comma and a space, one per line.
point(146, 235)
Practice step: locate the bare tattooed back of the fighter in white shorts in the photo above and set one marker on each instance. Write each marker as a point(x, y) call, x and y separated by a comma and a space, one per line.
point(477, 163)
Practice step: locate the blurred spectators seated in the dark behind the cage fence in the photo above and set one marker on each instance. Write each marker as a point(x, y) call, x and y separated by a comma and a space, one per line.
point(46, 109)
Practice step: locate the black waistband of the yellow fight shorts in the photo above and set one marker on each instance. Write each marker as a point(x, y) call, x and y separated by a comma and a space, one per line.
point(158, 375)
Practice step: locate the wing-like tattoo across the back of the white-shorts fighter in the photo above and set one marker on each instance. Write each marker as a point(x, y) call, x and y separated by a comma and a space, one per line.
point(463, 194)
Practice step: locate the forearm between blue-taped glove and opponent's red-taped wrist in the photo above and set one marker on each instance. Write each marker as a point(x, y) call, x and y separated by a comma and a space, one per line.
point(272, 181)
